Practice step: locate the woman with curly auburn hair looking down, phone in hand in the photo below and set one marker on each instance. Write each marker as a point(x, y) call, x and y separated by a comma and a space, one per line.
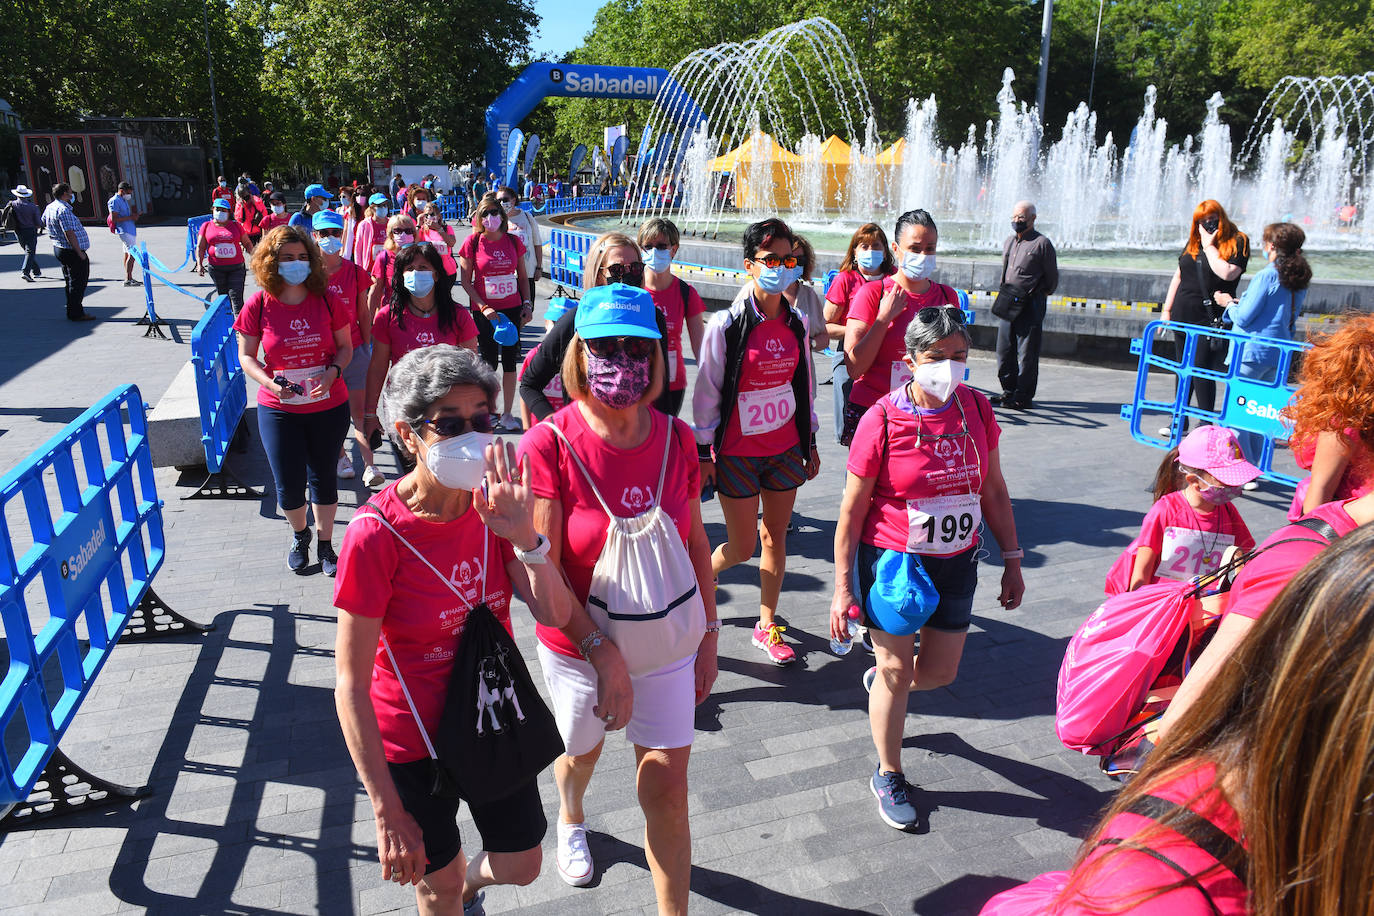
point(306, 344)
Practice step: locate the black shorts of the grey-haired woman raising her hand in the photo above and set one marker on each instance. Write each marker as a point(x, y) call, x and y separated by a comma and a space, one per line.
point(512, 825)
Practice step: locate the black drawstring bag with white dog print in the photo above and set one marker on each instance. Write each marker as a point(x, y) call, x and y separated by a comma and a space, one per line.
point(495, 734)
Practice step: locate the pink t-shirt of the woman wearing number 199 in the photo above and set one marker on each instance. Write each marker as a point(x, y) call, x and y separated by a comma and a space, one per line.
point(950, 461)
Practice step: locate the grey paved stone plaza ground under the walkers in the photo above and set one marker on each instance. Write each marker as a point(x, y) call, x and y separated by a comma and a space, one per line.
point(256, 807)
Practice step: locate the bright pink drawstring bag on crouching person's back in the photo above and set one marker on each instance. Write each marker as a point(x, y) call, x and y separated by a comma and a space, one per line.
point(1115, 659)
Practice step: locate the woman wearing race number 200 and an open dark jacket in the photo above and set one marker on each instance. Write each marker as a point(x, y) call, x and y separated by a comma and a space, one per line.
point(755, 418)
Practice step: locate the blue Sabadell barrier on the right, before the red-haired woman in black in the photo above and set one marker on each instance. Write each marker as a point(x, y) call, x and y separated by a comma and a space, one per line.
point(1246, 404)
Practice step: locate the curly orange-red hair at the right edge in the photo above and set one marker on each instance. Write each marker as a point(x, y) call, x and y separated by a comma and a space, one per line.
point(1336, 388)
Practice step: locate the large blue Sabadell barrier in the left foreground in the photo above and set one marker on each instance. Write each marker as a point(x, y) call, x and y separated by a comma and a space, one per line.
point(82, 540)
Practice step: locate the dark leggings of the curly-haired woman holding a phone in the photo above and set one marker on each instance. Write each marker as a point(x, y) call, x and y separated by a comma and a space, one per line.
point(300, 448)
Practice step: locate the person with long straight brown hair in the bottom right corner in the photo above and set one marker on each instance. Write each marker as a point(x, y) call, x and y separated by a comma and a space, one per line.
point(1259, 800)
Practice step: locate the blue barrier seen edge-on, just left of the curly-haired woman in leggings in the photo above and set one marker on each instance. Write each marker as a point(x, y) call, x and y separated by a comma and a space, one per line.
point(222, 395)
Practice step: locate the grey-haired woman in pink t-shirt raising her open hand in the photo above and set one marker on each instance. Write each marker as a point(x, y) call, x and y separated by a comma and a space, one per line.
point(401, 626)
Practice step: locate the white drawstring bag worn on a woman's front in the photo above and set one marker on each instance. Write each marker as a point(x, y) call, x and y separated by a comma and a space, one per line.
point(644, 593)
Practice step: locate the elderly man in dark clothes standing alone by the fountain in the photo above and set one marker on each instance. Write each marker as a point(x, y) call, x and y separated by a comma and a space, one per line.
point(1030, 275)
